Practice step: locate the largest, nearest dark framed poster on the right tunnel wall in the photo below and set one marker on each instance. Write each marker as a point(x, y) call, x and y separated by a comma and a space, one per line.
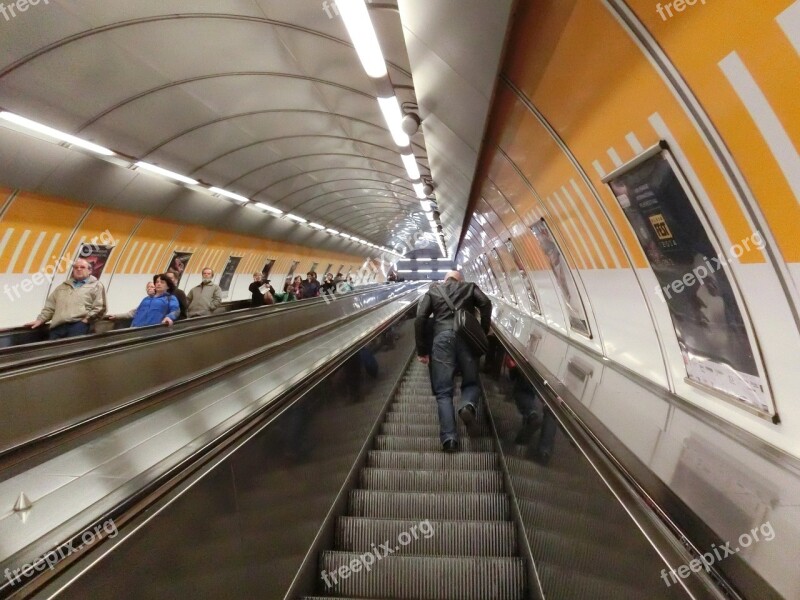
point(712, 333)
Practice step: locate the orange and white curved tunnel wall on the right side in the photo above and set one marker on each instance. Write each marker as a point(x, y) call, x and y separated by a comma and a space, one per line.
point(587, 87)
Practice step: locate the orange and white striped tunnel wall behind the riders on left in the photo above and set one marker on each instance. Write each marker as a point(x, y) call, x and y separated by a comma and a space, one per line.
point(41, 235)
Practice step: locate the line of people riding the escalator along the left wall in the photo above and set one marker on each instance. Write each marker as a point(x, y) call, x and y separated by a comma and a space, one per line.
point(80, 301)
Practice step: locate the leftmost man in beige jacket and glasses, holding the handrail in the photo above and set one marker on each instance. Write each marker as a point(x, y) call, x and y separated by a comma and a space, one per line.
point(74, 305)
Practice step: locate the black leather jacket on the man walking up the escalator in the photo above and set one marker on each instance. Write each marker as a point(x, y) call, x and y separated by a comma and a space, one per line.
point(463, 295)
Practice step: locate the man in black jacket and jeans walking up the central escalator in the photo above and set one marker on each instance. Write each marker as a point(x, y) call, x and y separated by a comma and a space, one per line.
point(450, 352)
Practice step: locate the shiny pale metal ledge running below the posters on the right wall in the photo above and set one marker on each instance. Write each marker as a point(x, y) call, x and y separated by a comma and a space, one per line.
point(717, 483)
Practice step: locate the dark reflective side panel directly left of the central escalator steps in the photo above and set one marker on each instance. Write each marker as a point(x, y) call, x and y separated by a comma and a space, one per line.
point(243, 529)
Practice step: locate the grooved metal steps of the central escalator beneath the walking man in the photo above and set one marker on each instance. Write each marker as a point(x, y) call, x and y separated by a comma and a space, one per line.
point(468, 548)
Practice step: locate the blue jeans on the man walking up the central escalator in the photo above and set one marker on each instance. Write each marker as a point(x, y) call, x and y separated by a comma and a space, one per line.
point(449, 353)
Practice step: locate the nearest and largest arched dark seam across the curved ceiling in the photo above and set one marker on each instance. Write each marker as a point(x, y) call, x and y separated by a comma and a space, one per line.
point(159, 18)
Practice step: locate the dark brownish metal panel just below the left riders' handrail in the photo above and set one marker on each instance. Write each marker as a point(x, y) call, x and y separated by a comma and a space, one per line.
point(39, 401)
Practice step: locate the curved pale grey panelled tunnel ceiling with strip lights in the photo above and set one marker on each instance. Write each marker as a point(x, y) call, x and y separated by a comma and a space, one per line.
point(263, 98)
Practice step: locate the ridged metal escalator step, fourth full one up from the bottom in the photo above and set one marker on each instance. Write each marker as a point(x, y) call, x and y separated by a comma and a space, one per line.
point(404, 480)
